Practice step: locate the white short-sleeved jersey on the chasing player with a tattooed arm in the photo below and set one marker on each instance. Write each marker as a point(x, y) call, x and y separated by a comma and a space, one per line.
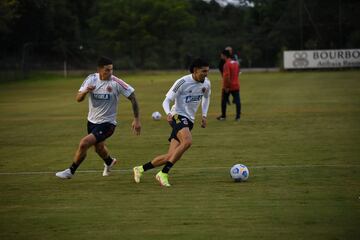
point(103, 100)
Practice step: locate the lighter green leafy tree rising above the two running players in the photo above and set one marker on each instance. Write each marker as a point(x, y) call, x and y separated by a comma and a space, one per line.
point(142, 29)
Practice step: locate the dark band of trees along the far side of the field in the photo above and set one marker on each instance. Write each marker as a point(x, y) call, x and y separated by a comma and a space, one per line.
point(167, 34)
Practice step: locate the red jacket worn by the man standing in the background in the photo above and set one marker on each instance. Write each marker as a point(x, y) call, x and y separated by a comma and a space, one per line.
point(231, 75)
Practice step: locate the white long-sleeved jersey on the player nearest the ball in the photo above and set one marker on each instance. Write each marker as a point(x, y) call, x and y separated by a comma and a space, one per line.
point(188, 93)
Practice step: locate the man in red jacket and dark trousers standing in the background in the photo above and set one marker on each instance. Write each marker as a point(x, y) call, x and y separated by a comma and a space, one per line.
point(230, 85)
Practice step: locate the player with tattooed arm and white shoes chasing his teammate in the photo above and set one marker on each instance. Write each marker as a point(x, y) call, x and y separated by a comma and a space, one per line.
point(104, 90)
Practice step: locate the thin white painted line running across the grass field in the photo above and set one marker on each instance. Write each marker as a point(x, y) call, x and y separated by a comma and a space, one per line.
point(191, 169)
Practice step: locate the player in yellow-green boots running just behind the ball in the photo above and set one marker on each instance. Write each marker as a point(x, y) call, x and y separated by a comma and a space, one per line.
point(187, 92)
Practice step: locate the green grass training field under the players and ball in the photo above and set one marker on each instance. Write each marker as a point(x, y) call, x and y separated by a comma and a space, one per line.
point(299, 136)
